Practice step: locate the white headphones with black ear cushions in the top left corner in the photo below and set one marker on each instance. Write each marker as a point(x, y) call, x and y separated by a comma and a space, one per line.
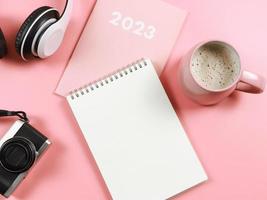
point(42, 32)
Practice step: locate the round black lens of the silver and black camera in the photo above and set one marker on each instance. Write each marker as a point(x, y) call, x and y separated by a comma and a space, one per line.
point(17, 154)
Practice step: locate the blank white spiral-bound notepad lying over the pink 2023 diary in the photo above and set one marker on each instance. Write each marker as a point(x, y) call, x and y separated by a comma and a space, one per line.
point(135, 136)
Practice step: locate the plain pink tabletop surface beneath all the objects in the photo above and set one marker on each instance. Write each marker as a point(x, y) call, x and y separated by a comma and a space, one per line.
point(230, 138)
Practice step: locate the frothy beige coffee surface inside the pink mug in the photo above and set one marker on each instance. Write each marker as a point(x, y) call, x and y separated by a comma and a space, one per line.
point(215, 66)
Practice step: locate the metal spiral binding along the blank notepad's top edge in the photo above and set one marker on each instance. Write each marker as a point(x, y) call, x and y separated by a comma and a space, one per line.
point(108, 79)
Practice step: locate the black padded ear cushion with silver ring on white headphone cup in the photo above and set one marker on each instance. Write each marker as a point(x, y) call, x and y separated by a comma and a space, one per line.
point(39, 19)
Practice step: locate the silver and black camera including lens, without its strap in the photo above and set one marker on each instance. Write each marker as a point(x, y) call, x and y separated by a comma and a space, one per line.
point(20, 148)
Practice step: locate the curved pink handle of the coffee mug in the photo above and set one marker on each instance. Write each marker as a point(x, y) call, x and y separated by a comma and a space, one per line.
point(251, 83)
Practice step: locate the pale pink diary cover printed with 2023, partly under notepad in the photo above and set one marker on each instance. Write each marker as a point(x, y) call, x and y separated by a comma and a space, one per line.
point(119, 32)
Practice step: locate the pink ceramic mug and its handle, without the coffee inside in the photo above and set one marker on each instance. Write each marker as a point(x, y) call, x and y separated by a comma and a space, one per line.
point(243, 81)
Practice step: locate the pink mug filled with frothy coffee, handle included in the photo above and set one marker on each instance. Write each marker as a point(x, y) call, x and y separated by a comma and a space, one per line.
point(212, 70)
